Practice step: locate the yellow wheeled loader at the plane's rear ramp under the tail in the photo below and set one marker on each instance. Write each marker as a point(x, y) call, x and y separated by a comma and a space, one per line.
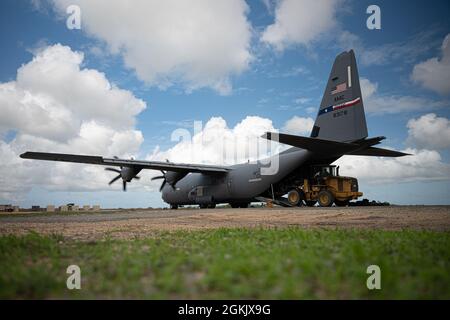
point(326, 187)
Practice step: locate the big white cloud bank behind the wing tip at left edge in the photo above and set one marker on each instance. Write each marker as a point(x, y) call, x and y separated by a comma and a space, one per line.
point(55, 105)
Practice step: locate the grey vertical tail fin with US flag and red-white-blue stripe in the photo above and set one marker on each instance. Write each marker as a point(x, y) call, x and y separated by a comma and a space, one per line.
point(341, 114)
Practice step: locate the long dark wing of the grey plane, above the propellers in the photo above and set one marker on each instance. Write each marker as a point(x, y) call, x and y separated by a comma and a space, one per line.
point(141, 164)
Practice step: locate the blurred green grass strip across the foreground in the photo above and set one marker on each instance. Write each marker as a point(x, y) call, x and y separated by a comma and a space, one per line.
point(231, 263)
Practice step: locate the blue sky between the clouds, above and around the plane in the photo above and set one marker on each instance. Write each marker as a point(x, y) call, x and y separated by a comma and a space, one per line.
point(275, 84)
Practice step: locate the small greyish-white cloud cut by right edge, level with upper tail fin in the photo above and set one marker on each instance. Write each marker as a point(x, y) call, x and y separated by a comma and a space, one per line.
point(434, 74)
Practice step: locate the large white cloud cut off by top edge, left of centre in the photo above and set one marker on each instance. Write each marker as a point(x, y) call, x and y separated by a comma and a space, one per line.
point(198, 43)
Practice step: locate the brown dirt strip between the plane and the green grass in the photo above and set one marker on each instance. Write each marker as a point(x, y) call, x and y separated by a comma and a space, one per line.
point(129, 224)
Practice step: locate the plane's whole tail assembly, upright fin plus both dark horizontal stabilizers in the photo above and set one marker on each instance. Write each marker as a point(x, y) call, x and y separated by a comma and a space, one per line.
point(340, 126)
